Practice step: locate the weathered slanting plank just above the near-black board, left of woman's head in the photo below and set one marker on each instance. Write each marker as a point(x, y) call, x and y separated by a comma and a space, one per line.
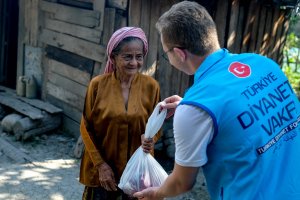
point(74, 45)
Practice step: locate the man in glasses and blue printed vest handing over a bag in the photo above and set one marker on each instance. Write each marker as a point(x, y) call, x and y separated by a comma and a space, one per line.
point(239, 120)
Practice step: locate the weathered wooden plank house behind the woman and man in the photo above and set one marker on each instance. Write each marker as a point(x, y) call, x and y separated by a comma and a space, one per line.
point(62, 43)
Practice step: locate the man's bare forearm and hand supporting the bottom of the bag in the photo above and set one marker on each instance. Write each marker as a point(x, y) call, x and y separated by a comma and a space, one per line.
point(179, 181)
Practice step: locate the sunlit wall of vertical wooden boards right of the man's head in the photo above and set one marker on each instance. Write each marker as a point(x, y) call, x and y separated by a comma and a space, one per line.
point(251, 26)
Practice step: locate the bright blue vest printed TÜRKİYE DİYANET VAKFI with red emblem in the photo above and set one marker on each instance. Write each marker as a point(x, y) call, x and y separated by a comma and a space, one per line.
point(255, 151)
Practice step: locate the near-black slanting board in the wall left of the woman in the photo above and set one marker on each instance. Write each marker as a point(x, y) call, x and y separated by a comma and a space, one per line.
point(71, 59)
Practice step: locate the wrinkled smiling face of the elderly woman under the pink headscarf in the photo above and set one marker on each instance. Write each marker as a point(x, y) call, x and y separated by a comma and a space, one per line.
point(130, 58)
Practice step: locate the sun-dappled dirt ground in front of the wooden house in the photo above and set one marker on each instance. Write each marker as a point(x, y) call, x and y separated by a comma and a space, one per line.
point(52, 173)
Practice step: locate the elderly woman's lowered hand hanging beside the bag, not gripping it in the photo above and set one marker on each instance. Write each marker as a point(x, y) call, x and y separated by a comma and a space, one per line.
point(107, 178)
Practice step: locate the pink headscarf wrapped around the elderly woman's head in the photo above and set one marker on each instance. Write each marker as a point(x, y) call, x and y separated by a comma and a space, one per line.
point(117, 37)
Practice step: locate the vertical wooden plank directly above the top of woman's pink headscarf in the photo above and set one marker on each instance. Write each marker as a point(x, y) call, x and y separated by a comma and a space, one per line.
point(134, 18)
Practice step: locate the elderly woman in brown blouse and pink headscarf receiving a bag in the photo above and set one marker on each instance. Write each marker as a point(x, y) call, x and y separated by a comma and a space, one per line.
point(117, 107)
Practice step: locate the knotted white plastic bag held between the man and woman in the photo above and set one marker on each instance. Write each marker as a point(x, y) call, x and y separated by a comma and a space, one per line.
point(142, 170)
